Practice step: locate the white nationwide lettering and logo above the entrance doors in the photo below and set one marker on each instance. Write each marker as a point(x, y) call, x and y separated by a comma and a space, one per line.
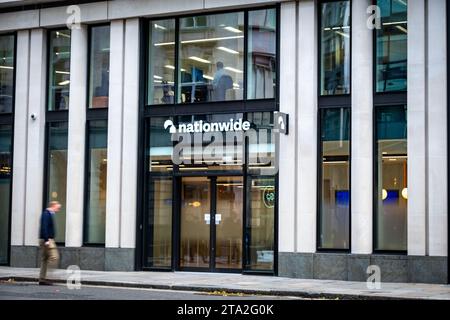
point(200, 126)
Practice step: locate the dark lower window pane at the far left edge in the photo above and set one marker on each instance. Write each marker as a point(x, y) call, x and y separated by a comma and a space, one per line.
point(5, 189)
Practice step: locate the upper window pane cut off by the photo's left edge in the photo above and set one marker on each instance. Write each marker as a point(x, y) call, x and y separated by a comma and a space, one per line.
point(6, 73)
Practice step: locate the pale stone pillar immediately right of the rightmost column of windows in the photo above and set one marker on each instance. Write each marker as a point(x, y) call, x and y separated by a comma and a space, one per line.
point(416, 117)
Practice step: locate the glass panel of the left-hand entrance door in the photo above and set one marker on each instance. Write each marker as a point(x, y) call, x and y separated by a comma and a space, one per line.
point(195, 222)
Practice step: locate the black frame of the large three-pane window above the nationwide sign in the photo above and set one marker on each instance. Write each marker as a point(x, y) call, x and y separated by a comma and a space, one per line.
point(244, 105)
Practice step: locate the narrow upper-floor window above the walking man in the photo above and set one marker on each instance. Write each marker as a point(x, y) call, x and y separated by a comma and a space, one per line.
point(59, 70)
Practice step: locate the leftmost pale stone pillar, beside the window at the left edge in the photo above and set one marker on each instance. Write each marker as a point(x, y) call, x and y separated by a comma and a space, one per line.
point(21, 117)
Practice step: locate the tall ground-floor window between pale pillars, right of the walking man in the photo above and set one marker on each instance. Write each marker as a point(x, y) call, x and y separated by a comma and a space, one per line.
point(96, 182)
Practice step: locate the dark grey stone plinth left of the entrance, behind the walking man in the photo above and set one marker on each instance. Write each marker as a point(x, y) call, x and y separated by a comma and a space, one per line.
point(86, 258)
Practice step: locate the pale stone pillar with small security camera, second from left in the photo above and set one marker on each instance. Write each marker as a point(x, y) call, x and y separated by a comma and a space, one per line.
point(35, 135)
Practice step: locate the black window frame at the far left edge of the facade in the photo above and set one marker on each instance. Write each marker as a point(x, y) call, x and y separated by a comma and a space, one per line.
point(8, 119)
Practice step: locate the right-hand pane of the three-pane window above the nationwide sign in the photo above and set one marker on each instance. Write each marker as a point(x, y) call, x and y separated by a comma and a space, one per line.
point(261, 54)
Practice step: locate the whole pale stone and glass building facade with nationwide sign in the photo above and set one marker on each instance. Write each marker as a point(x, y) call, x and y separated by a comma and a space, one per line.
point(301, 138)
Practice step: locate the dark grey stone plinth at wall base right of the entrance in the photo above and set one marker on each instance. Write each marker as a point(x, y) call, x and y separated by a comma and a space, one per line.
point(353, 267)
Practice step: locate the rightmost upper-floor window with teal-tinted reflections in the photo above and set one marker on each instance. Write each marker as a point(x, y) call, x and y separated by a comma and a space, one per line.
point(391, 46)
